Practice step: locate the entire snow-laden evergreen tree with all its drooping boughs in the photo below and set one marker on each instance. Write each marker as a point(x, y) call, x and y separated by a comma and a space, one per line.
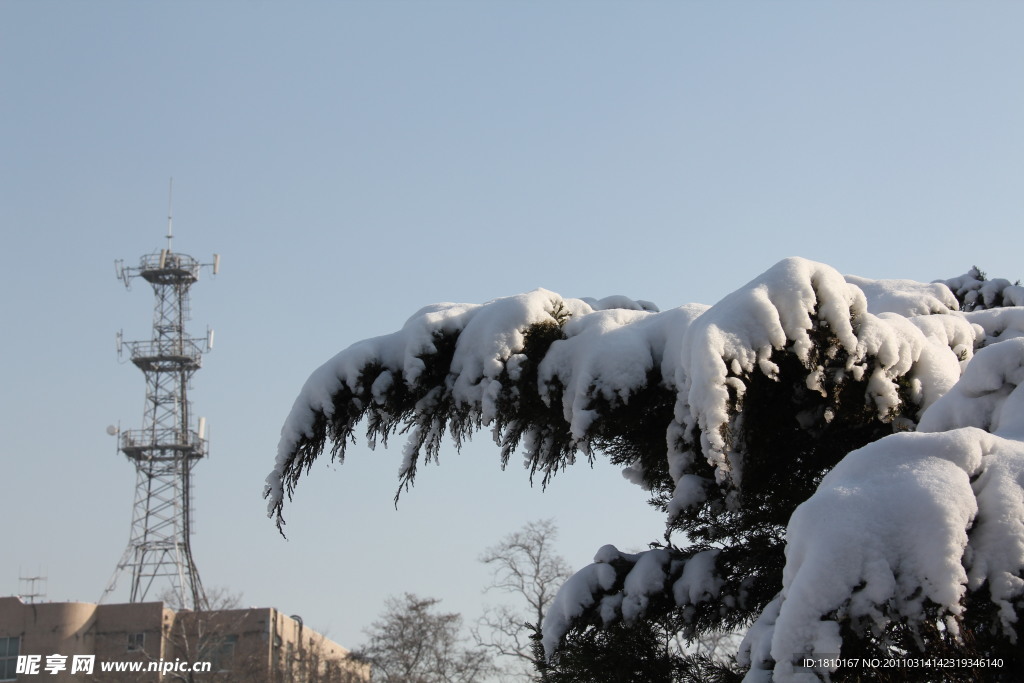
point(749, 421)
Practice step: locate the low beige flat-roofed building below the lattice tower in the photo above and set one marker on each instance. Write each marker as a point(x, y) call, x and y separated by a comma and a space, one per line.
point(149, 643)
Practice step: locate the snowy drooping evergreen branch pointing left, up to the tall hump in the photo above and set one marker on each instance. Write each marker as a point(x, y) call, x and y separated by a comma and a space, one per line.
point(457, 368)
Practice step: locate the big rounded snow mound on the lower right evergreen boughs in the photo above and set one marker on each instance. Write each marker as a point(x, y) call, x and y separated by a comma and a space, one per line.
point(902, 530)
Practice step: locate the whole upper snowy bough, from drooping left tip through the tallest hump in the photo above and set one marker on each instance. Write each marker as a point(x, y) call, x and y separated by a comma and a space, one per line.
point(549, 375)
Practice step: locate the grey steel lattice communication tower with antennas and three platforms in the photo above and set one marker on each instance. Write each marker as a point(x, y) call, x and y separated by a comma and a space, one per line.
point(167, 447)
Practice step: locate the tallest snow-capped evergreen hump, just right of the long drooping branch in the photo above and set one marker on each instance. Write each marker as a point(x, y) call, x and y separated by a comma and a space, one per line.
point(807, 318)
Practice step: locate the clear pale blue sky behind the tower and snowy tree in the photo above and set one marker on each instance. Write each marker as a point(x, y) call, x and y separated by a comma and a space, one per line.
point(355, 161)
